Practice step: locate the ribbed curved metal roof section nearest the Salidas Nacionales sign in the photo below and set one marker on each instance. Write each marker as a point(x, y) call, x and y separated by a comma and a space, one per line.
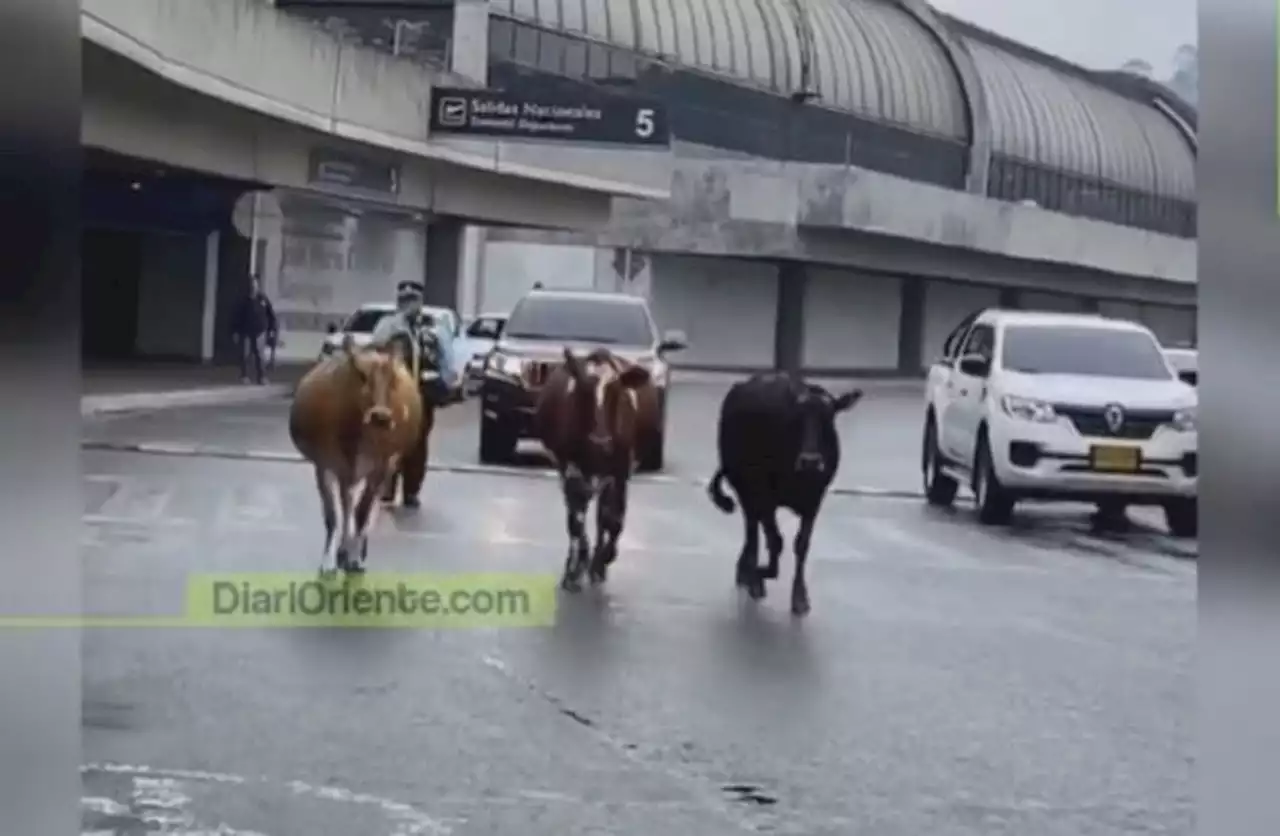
point(870, 57)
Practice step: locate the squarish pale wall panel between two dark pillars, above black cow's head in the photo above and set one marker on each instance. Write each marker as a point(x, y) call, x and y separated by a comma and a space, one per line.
point(852, 321)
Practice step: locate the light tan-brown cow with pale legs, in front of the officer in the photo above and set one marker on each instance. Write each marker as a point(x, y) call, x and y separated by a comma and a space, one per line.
point(354, 417)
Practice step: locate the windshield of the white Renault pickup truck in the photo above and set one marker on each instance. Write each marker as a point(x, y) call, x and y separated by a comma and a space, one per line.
point(1107, 353)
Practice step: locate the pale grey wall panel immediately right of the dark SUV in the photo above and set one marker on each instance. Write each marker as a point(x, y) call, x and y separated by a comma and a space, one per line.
point(726, 308)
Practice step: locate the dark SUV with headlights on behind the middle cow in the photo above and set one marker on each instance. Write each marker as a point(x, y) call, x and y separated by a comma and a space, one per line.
point(533, 344)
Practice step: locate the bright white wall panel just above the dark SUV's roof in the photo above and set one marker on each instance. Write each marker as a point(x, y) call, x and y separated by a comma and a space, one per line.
point(511, 268)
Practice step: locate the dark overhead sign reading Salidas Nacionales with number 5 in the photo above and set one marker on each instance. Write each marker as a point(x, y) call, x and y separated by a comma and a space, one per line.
point(490, 113)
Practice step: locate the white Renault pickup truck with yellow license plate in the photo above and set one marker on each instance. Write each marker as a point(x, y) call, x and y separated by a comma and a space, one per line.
point(1046, 406)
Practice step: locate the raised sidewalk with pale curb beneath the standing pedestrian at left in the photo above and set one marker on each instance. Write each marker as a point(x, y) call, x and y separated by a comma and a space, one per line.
point(157, 386)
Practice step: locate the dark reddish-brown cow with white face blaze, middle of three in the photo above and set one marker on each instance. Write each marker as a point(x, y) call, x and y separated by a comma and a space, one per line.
point(589, 417)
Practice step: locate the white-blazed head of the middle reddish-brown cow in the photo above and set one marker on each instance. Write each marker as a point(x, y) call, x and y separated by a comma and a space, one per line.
point(604, 398)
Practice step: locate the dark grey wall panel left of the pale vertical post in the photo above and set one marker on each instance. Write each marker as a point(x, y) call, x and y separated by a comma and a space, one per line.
point(172, 296)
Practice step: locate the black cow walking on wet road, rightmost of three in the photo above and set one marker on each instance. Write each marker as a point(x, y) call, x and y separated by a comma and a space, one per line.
point(779, 449)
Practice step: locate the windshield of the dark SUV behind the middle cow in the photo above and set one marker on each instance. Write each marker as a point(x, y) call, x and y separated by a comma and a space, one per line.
point(605, 322)
